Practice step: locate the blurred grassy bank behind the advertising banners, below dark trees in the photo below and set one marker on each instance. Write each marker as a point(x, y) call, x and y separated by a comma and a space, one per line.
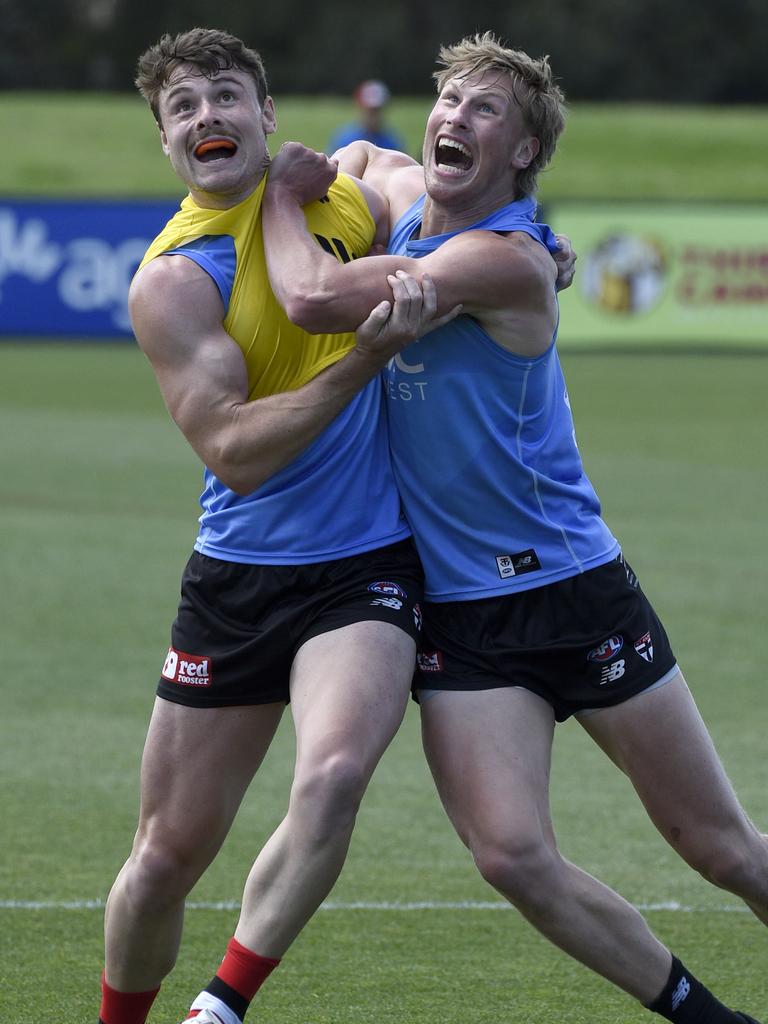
point(93, 145)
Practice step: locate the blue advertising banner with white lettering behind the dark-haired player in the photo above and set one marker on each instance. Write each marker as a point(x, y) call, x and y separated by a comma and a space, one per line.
point(66, 267)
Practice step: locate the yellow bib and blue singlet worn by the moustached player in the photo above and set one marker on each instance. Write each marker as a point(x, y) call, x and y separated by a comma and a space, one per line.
point(352, 456)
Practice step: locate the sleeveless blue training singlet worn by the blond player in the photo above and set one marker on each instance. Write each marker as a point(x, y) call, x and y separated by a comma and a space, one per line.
point(485, 451)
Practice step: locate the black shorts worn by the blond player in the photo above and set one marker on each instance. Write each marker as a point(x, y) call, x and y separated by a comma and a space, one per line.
point(583, 644)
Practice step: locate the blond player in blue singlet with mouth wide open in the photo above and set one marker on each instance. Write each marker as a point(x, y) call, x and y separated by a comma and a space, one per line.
point(533, 615)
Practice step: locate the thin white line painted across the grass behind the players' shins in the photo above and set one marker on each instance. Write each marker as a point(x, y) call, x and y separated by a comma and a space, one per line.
point(99, 905)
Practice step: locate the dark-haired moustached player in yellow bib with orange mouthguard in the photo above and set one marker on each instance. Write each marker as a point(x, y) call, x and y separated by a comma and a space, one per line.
point(304, 585)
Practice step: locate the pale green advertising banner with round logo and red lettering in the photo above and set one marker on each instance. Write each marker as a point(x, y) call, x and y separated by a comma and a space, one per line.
point(665, 274)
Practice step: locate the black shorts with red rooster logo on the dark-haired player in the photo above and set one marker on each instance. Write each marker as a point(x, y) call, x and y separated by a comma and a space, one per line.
point(239, 627)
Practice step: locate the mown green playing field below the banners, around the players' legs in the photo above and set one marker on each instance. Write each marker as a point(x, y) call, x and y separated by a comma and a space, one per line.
point(98, 517)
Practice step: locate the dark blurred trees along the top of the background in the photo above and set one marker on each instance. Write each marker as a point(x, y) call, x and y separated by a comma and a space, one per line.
point(704, 52)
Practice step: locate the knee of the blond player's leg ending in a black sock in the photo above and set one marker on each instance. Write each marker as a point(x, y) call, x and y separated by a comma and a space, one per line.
point(523, 870)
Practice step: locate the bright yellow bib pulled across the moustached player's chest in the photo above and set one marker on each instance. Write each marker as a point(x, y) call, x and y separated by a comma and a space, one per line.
point(230, 245)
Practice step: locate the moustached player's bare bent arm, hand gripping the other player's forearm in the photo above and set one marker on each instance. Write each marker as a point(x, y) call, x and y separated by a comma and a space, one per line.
point(177, 313)
